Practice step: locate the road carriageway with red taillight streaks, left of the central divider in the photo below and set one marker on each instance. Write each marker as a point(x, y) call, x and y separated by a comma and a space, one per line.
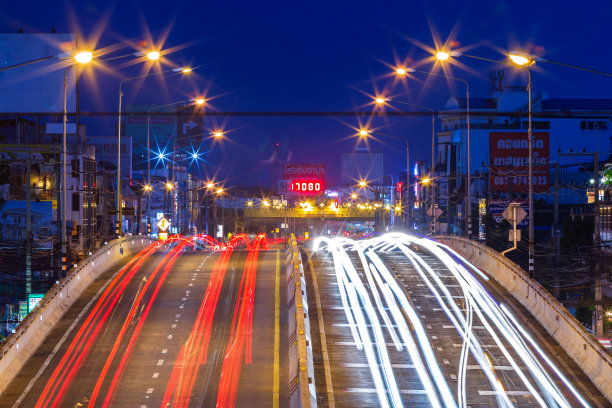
point(174, 327)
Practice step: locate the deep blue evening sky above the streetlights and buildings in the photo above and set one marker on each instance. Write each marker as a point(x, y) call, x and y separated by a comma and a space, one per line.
point(317, 56)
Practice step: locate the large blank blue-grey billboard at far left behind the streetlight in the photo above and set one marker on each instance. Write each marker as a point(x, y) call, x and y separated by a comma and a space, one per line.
point(38, 87)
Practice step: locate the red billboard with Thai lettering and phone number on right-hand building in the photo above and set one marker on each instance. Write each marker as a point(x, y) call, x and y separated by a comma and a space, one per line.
point(509, 161)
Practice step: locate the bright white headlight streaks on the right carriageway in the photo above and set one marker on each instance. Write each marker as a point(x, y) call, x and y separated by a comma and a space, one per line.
point(374, 292)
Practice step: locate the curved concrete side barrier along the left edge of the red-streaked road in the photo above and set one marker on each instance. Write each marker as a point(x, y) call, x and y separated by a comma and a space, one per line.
point(32, 331)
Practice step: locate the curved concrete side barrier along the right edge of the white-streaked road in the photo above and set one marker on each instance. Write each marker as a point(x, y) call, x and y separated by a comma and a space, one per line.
point(577, 342)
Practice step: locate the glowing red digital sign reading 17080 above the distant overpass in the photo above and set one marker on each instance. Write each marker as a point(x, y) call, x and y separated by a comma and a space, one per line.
point(300, 179)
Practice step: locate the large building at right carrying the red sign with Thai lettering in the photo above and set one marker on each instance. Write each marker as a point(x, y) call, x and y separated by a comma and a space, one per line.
point(566, 134)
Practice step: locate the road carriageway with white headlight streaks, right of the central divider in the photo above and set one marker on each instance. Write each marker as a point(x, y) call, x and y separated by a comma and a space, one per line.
point(393, 323)
